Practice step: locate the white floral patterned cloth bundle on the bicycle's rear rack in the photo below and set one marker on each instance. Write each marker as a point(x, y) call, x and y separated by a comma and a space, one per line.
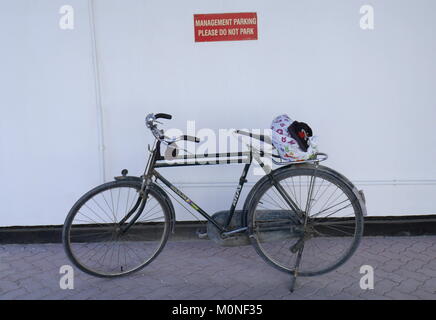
point(286, 146)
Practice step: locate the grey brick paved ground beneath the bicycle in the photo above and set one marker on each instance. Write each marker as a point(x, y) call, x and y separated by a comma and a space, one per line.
point(405, 268)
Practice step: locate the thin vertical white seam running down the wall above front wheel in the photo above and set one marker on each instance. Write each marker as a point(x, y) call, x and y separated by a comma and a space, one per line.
point(97, 88)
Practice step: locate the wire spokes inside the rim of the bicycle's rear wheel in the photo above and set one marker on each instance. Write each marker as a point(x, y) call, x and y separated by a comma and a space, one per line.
point(326, 233)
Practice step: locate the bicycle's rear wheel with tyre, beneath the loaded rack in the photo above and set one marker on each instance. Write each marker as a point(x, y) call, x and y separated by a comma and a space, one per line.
point(330, 234)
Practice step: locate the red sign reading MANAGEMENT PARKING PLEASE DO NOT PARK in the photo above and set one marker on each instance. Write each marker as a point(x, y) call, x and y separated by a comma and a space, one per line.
point(225, 26)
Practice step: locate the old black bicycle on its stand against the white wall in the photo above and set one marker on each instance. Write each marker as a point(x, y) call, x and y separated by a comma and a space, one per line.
point(121, 226)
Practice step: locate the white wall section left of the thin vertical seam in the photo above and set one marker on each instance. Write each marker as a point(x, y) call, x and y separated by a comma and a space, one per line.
point(48, 138)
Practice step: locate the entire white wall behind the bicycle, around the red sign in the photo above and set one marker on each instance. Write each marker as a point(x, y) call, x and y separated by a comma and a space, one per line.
point(369, 95)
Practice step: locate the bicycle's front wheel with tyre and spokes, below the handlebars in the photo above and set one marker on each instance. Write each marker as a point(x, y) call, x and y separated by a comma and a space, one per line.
point(113, 231)
